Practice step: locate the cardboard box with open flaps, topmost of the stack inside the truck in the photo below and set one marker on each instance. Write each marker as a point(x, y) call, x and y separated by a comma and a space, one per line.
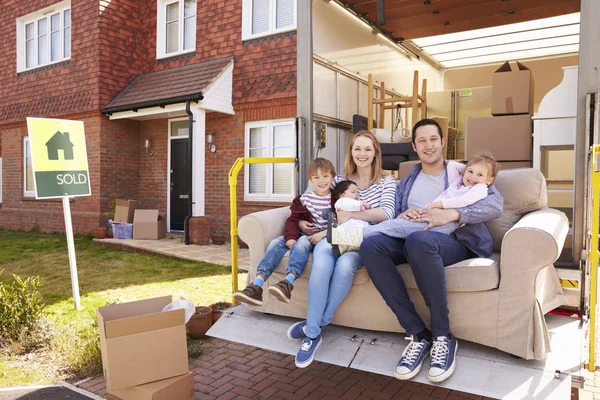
point(512, 91)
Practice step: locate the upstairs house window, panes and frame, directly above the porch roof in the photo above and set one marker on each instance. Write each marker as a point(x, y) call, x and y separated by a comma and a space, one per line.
point(176, 27)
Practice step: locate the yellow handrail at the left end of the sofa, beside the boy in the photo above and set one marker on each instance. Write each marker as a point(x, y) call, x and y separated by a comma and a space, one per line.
point(233, 172)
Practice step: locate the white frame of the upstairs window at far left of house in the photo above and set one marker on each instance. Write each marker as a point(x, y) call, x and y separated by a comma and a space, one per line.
point(35, 18)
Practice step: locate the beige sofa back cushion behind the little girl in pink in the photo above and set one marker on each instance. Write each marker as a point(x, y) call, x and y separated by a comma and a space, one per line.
point(524, 191)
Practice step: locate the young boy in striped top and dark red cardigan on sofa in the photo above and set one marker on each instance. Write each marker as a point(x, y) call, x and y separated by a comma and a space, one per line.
point(309, 207)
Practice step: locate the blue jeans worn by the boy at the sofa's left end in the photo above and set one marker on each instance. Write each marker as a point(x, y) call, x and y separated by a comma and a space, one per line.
point(277, 249)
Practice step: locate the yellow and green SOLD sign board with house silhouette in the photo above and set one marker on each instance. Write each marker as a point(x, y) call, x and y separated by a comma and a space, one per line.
point(59, 158)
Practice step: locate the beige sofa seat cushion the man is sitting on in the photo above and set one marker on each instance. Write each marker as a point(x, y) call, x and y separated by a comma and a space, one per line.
point(472, 275)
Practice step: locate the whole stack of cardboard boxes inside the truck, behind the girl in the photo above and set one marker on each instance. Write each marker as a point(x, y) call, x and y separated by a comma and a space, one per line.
point(507, 134)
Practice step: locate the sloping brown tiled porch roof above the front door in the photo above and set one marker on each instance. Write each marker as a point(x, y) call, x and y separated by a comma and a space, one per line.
point(175, 85)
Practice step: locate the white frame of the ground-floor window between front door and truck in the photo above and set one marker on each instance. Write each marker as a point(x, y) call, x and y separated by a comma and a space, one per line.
point(269, 196)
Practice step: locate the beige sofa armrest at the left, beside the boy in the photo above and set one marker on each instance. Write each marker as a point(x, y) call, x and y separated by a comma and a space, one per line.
point(259, 228)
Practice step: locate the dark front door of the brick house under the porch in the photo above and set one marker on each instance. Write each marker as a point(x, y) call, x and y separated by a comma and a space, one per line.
point(179, 184)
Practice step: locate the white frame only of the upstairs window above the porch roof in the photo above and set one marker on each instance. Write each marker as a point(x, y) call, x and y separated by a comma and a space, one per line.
point(161, 32)
